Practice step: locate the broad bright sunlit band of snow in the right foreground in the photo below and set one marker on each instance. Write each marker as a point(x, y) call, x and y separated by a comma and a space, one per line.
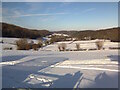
point(89, 65)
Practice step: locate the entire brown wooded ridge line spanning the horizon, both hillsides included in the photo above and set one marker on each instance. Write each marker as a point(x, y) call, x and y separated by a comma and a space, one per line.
point(10, 30)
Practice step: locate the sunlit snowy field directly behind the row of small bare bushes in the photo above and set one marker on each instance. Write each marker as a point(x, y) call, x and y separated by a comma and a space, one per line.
point(83, 45)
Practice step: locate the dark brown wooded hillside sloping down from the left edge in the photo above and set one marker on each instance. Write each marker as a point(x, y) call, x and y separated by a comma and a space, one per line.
point(10, 30)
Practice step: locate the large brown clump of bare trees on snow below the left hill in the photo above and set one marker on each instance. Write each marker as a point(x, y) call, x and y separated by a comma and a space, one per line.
point(23, 44)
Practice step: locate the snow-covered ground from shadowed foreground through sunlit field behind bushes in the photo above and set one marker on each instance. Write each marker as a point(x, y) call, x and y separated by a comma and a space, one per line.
point(49, 68)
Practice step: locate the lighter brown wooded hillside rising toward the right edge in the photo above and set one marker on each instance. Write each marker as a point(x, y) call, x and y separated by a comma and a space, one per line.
point(111, 34)
